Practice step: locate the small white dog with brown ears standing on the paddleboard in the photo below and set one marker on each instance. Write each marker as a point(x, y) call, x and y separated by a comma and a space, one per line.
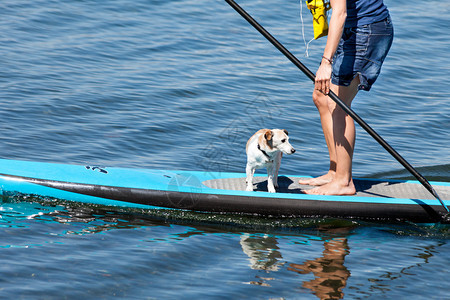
point(264, 150)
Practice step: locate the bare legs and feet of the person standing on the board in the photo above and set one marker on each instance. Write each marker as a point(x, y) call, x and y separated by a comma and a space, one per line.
point(339, 131)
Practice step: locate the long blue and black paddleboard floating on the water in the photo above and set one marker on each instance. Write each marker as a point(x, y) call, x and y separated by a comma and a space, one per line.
point(220, 192)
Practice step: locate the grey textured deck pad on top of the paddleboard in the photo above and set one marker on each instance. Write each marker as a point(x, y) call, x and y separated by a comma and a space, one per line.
point(364, 187)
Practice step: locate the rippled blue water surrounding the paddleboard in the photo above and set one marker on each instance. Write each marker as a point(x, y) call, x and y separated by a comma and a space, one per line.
point(182, 85)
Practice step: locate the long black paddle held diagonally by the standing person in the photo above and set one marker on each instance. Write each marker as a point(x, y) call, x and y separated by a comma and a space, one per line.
point(336, 99)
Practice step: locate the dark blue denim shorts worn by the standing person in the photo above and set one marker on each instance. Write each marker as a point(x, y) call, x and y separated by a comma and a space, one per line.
point(361, 51)
